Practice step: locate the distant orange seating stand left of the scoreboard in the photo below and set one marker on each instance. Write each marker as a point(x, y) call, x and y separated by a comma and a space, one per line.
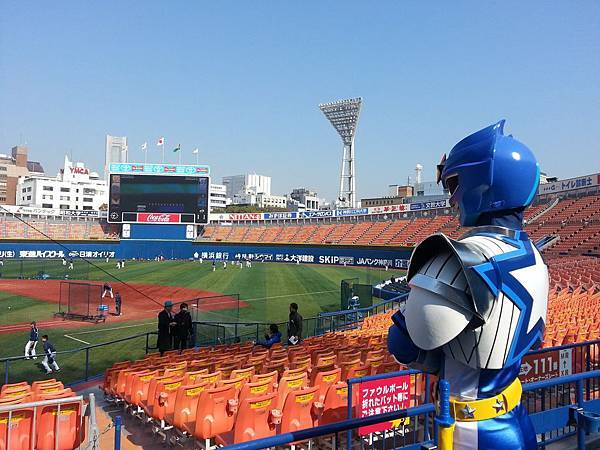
point(57, 229)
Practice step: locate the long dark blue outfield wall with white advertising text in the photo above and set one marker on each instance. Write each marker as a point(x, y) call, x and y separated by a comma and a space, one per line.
point(392, 257)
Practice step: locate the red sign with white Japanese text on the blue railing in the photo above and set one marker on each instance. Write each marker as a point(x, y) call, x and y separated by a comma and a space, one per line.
point(383, 396)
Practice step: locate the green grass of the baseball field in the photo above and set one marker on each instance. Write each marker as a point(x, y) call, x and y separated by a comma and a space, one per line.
point(267, 288)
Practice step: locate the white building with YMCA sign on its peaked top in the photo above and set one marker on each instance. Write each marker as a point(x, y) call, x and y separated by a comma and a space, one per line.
point(75, 187)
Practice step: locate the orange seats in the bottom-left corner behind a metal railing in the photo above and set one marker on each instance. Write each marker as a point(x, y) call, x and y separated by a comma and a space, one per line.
point(38, 427)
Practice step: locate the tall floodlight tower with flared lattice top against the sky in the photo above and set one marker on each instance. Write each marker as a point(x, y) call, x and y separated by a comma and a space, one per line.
point(343, 115)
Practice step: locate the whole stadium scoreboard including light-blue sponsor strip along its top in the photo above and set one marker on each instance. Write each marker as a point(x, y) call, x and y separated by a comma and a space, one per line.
point(158, 193)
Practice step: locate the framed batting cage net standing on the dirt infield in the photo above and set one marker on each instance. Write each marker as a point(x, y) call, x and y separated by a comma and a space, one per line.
point(83, 301)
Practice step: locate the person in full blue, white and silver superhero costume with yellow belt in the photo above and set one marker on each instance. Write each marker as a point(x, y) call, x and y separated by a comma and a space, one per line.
point(477, 305)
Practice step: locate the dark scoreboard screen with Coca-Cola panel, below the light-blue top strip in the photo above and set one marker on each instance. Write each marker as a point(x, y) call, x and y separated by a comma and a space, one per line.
point(158, 199)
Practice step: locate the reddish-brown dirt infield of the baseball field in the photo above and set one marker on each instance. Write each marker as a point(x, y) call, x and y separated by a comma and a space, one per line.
point(137, 300)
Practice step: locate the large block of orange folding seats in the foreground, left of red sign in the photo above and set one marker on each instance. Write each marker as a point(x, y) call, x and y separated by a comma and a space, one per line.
point(234, 393)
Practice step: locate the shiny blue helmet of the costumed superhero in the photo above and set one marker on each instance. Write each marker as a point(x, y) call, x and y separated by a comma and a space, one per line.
point(489, 172)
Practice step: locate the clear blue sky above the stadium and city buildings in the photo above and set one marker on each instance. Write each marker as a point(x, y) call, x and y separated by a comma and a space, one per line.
point(242, 81)
